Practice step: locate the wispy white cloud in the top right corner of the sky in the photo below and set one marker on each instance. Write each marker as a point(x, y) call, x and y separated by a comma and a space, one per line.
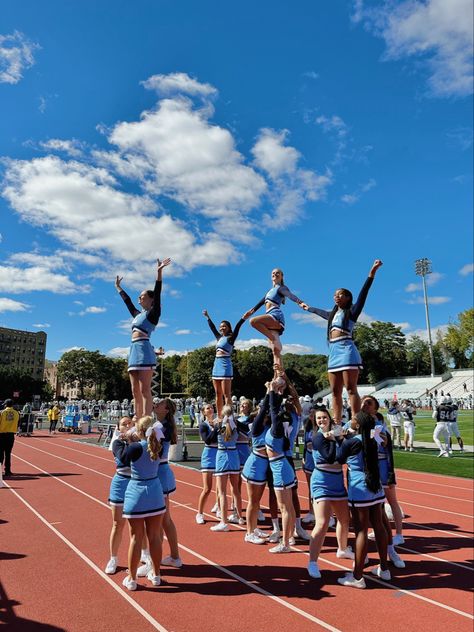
point(437, 32)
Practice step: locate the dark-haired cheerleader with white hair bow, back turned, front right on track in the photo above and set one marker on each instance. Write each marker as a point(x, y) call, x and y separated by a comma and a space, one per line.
point(366, 497)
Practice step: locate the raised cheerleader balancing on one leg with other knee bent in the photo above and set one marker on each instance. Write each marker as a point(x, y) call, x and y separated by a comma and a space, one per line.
point(272, 324)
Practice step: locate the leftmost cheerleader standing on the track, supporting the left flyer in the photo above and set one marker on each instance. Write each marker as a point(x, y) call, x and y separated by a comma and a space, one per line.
point(118, 486)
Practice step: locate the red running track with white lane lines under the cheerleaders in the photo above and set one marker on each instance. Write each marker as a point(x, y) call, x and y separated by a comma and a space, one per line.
point(55, 524)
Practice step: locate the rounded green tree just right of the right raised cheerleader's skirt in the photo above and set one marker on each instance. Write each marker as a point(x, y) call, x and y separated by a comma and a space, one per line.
point(383, 350)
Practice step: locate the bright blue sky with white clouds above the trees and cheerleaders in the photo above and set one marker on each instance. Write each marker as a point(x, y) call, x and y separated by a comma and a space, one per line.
point(233, 138)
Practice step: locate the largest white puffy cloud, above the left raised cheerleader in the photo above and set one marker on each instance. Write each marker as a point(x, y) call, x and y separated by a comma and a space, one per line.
point(194, 192)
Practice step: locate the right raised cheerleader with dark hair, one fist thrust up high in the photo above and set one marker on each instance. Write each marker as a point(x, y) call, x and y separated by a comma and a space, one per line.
point(344, 359)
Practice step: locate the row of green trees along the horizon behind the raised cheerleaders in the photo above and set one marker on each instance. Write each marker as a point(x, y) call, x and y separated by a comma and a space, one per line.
point(385, 349)
